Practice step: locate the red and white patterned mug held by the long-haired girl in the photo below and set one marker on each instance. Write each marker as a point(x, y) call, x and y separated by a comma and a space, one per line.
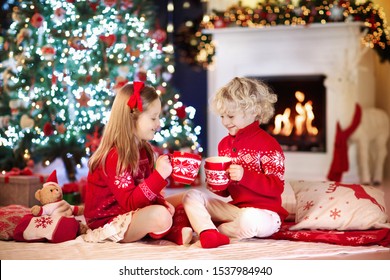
point(185, 167)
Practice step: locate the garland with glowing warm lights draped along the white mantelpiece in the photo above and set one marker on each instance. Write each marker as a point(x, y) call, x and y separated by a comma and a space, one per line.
point(198, 49)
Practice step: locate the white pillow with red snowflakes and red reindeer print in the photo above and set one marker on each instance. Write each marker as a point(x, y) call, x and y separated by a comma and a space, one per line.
point(338, 206)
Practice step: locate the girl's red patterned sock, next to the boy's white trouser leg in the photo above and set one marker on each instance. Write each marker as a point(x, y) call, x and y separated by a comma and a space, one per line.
point(181, 231)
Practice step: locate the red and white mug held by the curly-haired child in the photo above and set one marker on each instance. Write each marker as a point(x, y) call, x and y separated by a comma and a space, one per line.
point(217, 177)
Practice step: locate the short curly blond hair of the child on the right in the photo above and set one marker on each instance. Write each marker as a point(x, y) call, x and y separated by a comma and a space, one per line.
point(250, 96)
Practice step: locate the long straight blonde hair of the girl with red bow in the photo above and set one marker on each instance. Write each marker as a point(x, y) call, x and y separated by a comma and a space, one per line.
point(120, 130)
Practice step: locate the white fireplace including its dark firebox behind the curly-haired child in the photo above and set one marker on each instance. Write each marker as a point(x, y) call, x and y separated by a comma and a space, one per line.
point(310, 61)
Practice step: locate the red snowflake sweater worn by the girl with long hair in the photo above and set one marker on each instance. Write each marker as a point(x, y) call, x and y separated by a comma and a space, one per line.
point(109, 195)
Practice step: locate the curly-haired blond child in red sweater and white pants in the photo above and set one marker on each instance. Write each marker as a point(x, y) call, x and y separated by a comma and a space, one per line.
point(256, 173)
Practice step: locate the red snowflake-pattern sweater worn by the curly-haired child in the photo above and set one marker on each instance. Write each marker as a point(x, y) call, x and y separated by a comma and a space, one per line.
point(263, 161)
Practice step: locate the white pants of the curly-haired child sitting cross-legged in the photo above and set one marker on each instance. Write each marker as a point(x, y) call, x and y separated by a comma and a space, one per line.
point(203, 211)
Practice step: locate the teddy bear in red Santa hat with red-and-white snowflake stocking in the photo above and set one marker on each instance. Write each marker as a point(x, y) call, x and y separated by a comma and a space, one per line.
point(54, 220)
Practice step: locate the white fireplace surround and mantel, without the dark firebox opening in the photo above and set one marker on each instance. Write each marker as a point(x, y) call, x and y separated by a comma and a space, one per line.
point(294, 50)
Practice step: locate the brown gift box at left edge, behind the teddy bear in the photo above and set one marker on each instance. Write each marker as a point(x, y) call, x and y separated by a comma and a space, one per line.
point(20, 189)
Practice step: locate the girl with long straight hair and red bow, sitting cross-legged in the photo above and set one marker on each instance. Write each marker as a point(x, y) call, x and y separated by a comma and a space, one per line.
point(123, 201)
